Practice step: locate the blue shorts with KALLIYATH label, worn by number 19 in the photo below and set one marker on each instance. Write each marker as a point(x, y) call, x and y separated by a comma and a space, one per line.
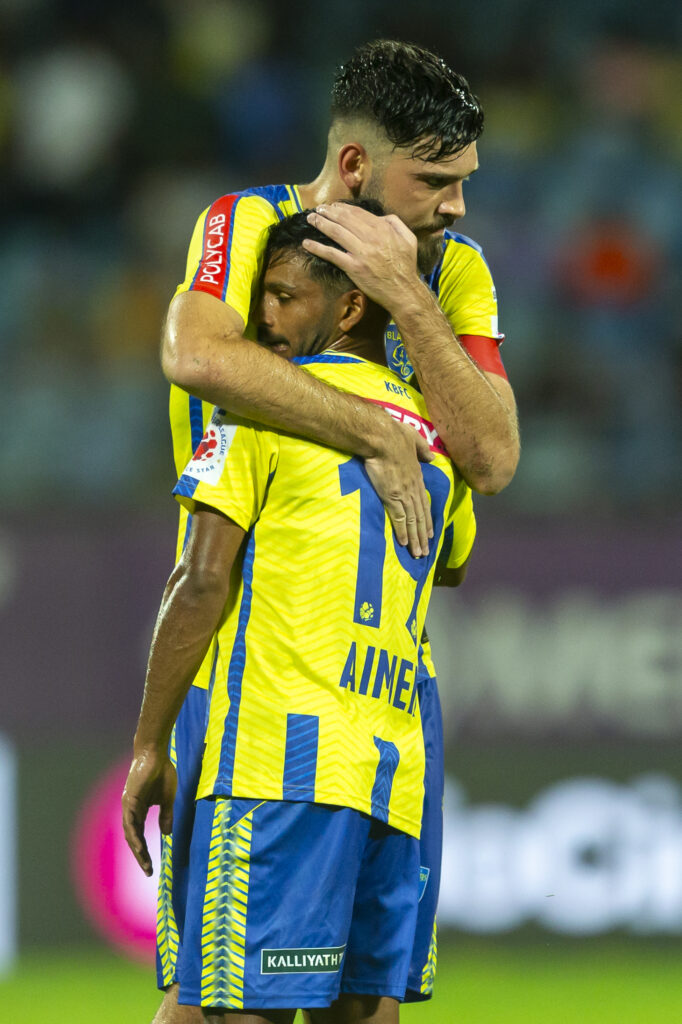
point(292, 904)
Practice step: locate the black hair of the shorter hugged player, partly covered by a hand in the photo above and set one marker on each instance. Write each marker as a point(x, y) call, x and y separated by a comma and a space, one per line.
point(286, 237)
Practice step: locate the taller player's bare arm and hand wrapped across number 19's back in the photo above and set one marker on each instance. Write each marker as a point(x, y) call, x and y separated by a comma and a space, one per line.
point(205, 354)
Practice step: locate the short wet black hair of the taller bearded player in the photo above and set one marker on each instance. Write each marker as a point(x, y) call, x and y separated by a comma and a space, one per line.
point(412, 95)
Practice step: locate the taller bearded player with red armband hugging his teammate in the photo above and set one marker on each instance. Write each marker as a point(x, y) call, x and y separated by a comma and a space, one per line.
point(404, 129)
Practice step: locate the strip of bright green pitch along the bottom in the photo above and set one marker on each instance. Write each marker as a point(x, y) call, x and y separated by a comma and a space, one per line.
point(480, 983)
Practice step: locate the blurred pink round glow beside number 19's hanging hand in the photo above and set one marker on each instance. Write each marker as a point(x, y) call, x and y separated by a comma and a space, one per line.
point(117, 898)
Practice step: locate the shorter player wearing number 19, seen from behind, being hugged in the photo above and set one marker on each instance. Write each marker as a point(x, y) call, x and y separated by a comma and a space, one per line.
point(305, 875)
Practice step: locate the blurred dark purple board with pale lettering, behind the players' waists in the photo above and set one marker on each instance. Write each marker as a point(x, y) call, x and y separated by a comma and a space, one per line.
point(555, 632)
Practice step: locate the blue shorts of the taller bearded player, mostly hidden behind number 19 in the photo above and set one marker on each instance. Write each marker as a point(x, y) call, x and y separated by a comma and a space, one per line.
point(188, 752)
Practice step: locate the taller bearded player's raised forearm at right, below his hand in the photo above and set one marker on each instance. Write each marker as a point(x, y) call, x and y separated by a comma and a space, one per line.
point(477, 423)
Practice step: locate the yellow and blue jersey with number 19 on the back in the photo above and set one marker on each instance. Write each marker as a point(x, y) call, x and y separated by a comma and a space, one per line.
point(313, 669)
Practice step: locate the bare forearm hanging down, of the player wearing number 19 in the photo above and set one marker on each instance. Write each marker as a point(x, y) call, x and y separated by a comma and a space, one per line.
point(185, 627)
